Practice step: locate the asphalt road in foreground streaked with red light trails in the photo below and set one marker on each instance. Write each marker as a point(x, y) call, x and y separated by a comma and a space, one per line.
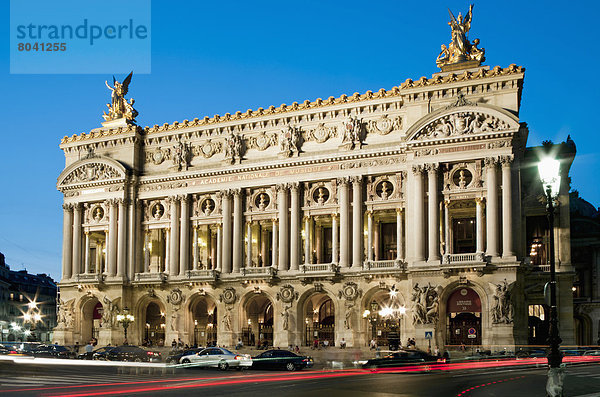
point(582, 380)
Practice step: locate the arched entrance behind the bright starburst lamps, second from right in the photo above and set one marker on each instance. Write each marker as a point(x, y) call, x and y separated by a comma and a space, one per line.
point(384, 314)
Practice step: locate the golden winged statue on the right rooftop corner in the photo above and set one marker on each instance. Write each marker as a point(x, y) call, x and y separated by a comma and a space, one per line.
point(460, 48)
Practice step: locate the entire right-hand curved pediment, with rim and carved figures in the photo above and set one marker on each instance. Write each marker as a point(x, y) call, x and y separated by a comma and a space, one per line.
point(461, 121)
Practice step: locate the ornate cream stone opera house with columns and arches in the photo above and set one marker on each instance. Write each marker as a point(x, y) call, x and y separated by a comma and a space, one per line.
point(415, 210)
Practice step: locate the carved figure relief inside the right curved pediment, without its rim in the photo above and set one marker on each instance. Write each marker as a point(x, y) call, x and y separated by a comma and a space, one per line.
point(462, 123)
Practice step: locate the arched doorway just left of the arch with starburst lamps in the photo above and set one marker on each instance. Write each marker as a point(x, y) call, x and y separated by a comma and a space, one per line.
point(319, 320)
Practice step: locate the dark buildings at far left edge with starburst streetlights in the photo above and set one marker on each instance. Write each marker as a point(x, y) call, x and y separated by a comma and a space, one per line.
point(27, 305)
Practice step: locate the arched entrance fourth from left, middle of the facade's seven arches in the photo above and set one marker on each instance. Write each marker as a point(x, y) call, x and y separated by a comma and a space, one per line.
point(258, 329)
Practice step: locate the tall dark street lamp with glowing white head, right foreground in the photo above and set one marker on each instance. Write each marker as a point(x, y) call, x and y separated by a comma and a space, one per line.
point(549, 169)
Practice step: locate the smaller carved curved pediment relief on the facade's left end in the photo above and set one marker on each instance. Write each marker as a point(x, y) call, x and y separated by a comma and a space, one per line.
point(92, 170)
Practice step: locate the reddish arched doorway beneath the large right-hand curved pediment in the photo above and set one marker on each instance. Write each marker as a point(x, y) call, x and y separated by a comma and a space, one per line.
point(463, 319)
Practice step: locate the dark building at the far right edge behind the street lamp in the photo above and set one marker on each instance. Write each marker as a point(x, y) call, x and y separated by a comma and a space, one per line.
point(585, 244)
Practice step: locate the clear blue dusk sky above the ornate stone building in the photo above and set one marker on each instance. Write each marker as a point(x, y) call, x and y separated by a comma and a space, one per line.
point(217, 57)
